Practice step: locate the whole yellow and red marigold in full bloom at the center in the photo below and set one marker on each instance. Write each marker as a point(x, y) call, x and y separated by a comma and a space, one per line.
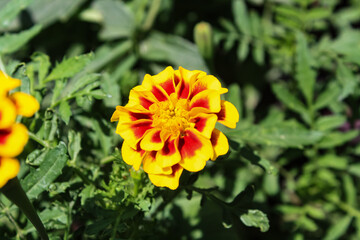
point(169, 122)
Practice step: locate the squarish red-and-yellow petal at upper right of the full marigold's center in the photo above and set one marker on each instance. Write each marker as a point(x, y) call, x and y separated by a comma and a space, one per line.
point(206, 101)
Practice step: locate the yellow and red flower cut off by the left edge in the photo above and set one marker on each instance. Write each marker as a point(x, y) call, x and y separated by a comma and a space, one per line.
point(13, 136)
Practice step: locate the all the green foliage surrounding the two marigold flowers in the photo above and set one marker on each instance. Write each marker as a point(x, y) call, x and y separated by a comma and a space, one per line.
point(292, 70)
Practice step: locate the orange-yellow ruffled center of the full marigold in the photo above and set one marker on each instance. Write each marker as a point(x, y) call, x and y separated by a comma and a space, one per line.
point(172, 116)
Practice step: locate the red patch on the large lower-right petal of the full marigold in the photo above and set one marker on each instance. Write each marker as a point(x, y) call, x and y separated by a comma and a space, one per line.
point(189, 144)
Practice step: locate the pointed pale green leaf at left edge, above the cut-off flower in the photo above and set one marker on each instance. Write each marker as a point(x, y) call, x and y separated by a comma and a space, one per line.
point(10, 43)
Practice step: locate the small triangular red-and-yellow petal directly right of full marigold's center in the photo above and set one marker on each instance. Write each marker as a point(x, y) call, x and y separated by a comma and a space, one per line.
point(204, 123)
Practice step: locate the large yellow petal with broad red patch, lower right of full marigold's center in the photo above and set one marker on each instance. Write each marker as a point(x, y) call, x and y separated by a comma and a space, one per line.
point(195, 150)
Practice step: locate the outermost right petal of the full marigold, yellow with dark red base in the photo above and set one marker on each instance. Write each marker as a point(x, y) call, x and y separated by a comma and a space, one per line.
point(228, 114)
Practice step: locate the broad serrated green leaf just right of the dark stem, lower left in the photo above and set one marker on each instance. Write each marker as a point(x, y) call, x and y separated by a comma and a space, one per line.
point(39, 180)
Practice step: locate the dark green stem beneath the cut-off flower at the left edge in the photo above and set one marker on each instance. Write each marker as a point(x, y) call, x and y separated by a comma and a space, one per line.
point(14, 192)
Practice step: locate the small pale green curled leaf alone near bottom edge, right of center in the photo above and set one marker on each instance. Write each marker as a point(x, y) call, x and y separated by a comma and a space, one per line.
point(256, 218)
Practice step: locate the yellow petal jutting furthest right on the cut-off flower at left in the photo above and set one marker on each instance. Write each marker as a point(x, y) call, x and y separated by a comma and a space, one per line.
point(26, 105)
